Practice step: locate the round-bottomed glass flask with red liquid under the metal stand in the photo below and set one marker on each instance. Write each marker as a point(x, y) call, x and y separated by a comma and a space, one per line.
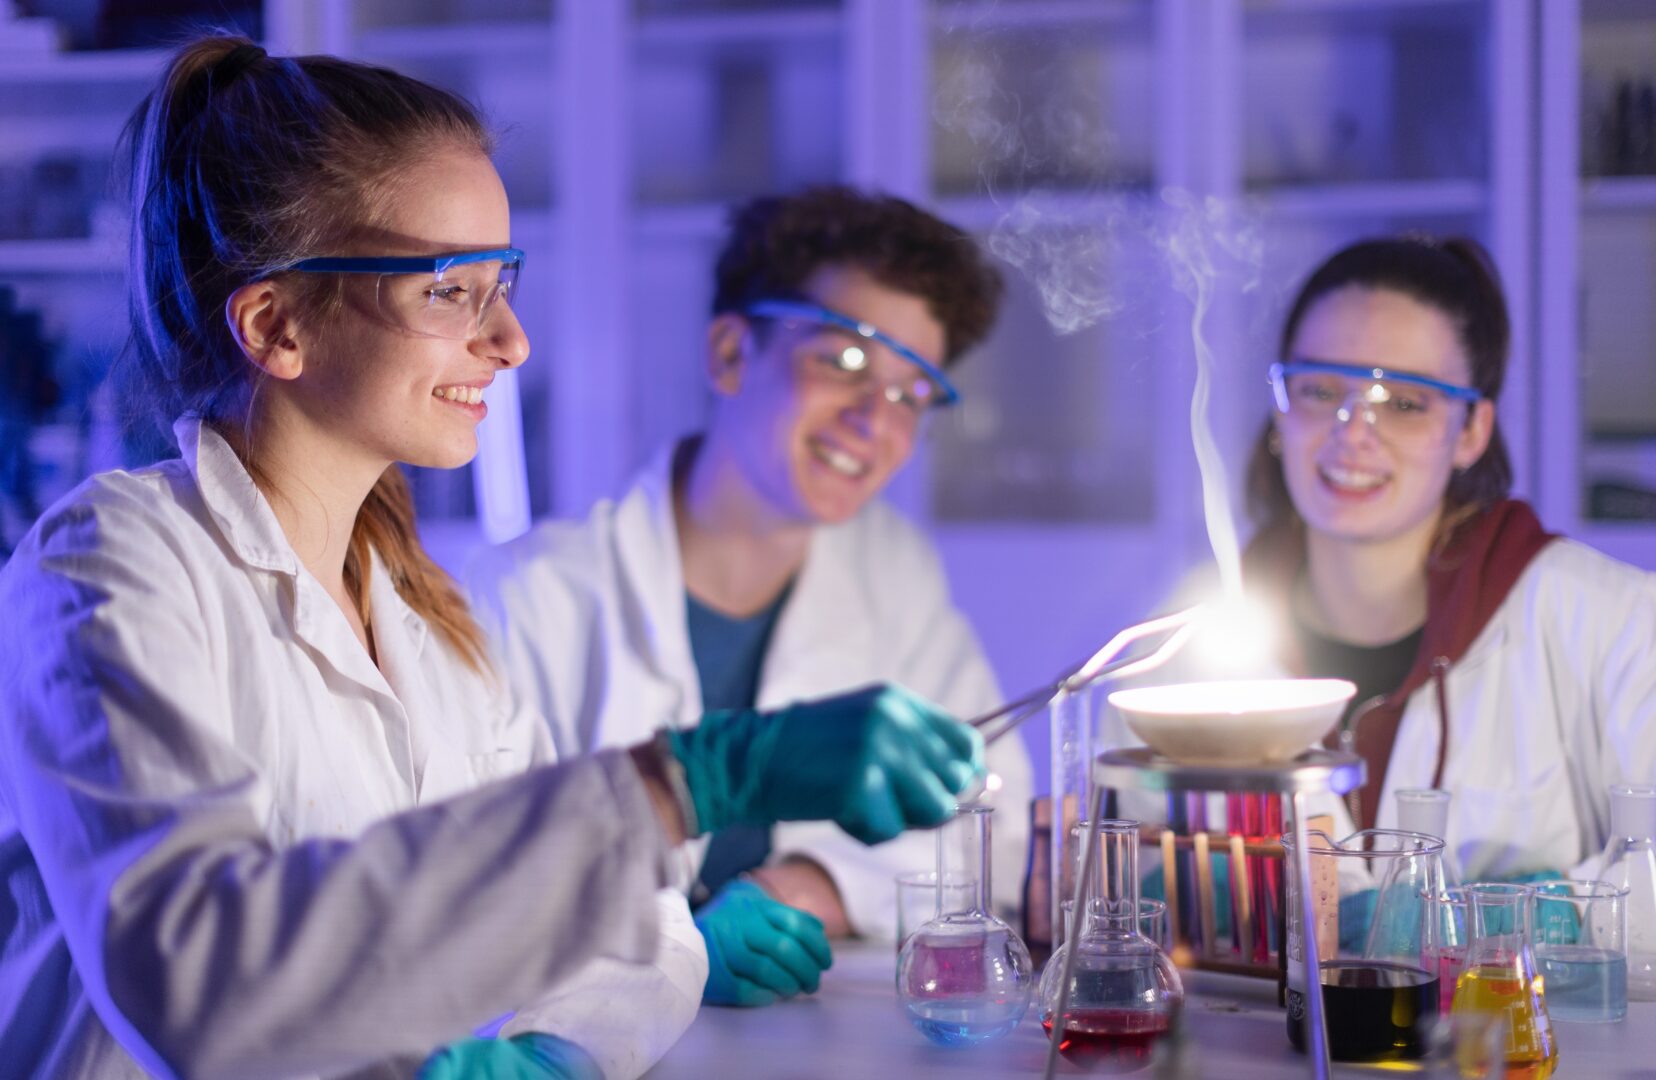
point(1125, 995)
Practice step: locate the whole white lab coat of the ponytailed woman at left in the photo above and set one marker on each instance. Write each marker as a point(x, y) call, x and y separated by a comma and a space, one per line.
point(236, 847)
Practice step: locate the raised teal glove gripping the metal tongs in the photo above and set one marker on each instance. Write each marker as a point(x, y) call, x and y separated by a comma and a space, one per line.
point(875, 761)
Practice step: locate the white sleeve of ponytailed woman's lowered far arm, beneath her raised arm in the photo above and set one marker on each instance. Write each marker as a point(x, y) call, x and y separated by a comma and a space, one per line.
point(628, 1016)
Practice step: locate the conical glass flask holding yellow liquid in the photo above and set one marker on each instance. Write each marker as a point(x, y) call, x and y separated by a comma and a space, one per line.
point(1501, 978)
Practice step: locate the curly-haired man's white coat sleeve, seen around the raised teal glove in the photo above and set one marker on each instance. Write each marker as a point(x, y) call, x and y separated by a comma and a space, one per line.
point(940, 658)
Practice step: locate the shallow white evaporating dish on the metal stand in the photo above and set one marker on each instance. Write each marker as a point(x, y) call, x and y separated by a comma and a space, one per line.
point(1240, 723)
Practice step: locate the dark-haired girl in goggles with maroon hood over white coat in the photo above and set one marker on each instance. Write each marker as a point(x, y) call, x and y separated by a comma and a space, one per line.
point(1493, 658)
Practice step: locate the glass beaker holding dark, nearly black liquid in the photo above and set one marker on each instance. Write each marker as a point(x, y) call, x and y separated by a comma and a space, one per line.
point(1370, 892)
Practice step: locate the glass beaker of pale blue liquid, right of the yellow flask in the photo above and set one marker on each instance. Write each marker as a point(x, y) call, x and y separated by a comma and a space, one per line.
point(1582, 950)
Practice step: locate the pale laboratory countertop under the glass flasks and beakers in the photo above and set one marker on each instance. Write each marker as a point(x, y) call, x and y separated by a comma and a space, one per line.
point(855, 1028)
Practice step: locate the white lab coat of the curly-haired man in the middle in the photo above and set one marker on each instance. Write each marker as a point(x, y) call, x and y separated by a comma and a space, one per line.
point(590, 619)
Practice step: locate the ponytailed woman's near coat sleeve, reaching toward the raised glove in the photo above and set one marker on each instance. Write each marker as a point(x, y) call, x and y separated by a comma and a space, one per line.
point(205, 950)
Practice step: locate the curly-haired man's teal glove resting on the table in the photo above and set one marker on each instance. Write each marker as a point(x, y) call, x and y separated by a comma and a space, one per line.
point(759, 950)
